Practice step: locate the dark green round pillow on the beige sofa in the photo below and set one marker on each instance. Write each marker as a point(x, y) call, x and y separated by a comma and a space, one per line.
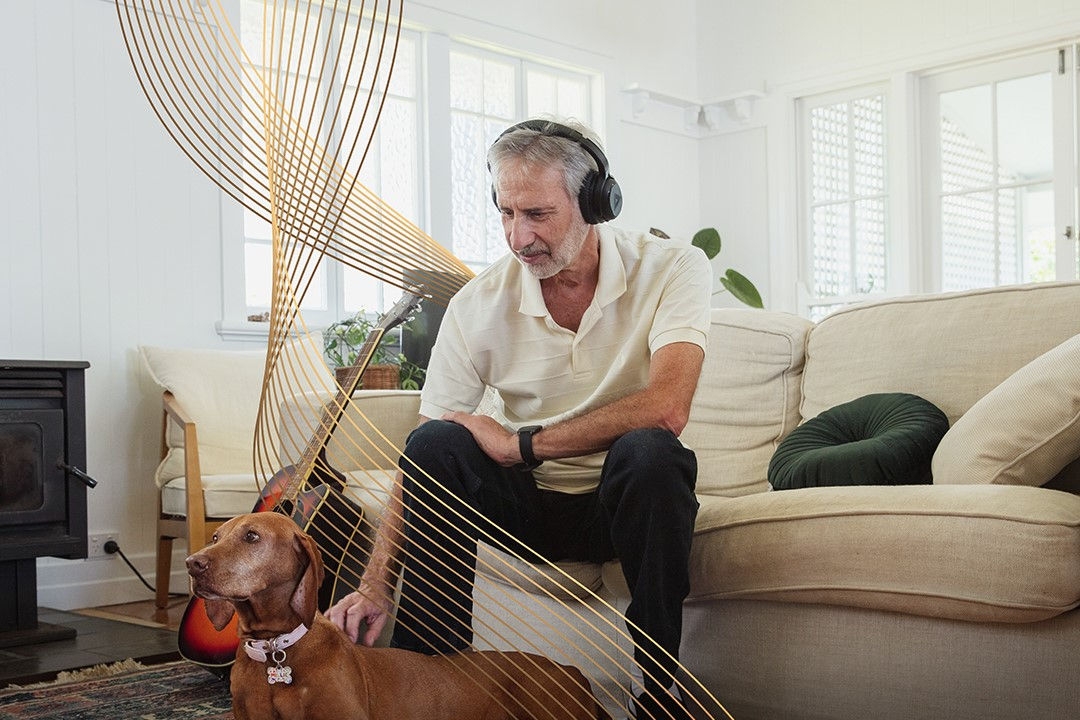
point(886, 439)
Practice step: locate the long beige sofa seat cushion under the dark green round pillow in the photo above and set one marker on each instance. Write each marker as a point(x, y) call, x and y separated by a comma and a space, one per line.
point(973, 553)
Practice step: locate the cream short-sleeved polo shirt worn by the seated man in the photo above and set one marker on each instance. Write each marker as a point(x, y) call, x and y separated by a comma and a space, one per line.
point(498, 334)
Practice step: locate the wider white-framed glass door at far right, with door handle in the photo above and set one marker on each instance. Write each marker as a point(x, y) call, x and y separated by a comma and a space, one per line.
point(996, 185)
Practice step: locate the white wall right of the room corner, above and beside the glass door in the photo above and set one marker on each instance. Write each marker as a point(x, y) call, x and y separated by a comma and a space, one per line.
point(792, 48)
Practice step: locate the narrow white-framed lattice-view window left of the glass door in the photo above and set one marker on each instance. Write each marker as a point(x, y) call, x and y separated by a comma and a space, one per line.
point(846, 201)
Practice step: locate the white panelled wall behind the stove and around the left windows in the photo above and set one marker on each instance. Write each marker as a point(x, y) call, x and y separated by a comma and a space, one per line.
point(113, 239)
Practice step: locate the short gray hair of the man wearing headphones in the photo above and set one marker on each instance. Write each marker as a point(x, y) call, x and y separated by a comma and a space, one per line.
point(542, 148)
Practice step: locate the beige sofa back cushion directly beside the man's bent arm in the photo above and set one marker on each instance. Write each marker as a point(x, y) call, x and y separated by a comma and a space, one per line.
point(747, 400)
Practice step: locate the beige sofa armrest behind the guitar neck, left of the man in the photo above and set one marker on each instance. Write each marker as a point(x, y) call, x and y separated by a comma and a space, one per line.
point(370, 434)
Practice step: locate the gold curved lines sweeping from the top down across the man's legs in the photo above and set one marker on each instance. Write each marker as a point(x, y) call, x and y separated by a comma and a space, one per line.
point(264, 114)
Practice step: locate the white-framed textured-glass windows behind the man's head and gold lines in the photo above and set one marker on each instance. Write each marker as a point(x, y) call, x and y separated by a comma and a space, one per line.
point(488, 91)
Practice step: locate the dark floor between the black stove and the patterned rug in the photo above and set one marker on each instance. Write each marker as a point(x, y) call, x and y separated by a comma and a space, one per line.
point(103, 635)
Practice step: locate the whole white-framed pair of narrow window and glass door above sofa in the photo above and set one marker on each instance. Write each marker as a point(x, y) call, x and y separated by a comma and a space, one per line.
point(946, 181)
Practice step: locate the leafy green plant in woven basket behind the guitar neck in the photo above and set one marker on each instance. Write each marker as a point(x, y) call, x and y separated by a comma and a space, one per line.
point(389, 369)
